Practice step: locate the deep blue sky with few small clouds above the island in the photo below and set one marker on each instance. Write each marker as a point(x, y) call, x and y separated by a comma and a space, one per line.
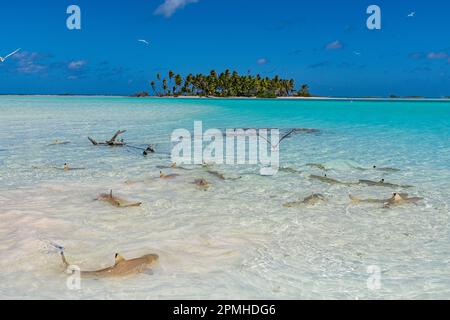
point(325, 44)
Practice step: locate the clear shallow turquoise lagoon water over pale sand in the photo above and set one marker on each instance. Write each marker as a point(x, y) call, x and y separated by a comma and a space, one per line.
point(235, 240)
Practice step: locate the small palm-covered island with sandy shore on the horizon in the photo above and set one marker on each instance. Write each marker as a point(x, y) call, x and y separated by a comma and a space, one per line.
point(225, 84)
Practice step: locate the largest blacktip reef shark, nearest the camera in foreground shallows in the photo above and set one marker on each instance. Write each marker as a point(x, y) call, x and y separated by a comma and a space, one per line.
point(121, 268)
